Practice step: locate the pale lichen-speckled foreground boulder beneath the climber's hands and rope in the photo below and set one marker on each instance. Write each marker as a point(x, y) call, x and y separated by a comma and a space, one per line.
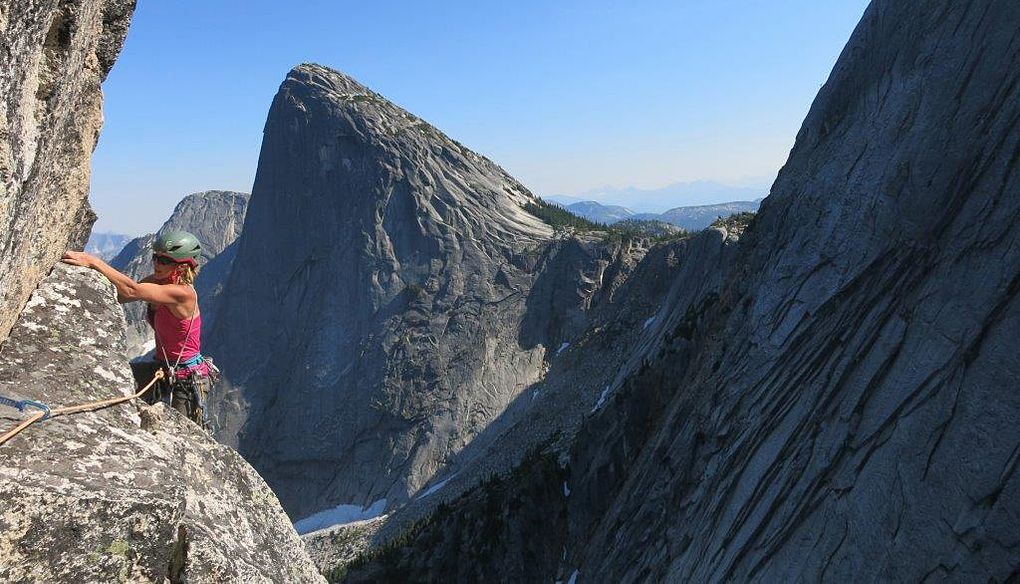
point(126, 494)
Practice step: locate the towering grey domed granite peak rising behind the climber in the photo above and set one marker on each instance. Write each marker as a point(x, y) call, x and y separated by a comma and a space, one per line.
point(370, 328)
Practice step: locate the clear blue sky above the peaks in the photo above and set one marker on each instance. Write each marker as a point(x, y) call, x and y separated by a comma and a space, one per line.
point(569, 97)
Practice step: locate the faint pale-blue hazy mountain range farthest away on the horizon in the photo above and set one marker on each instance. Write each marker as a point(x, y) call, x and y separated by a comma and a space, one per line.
point(698, 193)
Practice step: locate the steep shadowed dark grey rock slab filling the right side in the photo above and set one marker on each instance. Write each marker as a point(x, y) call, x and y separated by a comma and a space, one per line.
point(836, 400)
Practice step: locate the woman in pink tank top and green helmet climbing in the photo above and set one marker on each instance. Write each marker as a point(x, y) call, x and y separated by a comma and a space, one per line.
point(175, 317)
